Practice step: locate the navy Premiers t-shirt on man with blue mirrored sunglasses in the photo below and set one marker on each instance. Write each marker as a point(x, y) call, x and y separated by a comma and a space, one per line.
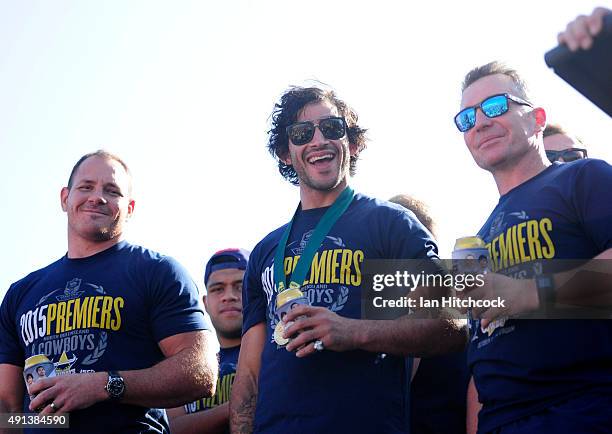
point(523, 366)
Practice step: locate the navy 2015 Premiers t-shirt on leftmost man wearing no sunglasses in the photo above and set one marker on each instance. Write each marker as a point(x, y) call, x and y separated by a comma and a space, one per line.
point(104, 312)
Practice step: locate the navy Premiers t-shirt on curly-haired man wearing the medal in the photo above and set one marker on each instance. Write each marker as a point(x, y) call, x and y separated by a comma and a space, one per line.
point(353, 391)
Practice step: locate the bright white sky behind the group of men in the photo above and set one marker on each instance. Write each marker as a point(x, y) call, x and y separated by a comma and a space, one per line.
point(182, 91)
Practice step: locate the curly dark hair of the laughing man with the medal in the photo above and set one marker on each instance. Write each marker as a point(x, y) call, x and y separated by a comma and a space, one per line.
point(286, 112)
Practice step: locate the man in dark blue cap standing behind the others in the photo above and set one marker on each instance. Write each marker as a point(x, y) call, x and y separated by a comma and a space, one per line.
point(223, 278)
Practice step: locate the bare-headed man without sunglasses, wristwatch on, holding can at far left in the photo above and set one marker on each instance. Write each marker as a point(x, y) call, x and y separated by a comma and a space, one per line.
point(121, 320)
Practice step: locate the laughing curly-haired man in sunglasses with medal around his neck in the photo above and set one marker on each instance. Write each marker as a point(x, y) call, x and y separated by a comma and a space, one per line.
point(339, 373)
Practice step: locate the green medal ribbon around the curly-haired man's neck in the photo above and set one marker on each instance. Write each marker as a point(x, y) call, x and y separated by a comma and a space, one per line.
point(330, 217)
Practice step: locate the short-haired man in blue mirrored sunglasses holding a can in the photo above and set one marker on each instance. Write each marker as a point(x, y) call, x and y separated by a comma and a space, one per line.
point(535, 375)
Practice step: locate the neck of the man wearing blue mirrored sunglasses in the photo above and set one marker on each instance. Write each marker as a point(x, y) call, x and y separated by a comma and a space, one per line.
point(516, 172)
